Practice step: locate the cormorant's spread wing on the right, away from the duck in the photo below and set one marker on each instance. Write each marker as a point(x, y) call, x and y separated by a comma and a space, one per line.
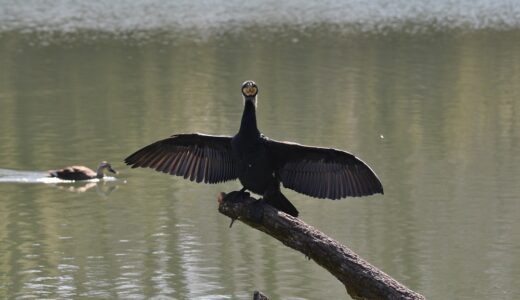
point(322, 172)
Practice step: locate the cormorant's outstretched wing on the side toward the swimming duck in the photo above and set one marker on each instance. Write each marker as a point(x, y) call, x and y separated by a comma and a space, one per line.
point(197, 157)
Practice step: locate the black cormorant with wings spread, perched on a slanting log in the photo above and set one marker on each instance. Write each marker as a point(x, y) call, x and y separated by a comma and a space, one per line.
point(260, 163)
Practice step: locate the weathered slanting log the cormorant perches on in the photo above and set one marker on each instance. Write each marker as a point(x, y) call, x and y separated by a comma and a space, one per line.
point(362, 280)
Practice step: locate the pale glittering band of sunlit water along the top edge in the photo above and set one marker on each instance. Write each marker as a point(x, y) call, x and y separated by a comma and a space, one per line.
point(218, 16)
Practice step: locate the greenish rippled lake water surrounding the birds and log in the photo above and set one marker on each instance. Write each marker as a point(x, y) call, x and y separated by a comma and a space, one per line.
point(427, 94)
